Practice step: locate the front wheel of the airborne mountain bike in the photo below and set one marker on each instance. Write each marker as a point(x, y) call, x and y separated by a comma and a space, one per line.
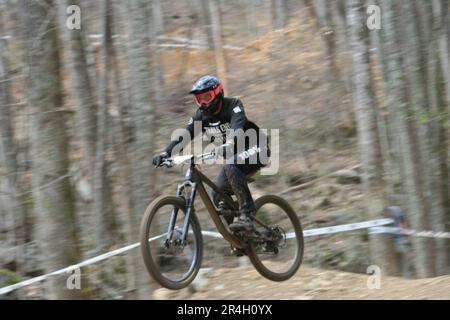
point(172, 264)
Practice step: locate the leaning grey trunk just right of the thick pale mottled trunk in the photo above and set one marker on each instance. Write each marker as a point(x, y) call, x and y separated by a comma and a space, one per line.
point(407, 142)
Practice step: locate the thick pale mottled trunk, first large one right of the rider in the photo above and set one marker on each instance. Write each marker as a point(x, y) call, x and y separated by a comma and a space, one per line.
point(368, 135)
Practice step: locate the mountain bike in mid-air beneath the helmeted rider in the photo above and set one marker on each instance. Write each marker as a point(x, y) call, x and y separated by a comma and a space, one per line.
point(171, 237)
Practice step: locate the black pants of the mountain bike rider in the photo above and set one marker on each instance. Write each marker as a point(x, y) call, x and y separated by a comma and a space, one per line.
point(232, 179)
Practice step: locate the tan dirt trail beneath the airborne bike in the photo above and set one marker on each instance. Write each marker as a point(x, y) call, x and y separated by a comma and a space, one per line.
point(309, 283)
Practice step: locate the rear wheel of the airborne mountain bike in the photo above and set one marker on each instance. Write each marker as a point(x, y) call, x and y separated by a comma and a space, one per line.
point(277, 251)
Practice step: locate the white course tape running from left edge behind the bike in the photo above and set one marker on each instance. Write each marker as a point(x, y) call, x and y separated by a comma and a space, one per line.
point(307, 233)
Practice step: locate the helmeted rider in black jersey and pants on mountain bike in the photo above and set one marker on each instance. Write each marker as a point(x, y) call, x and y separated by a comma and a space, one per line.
point(220, 115)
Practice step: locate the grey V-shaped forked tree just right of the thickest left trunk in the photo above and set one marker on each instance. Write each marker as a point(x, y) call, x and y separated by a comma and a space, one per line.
point(91, 103)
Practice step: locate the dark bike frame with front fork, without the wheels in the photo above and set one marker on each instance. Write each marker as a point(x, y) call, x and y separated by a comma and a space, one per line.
point(196, 180)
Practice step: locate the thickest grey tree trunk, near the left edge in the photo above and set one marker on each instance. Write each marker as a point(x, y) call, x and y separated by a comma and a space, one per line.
point(52, 191)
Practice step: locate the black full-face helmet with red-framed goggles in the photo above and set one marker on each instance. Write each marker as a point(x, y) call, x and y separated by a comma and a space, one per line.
point(208, 92)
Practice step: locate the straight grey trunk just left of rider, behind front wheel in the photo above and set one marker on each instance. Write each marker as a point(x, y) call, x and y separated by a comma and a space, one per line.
point(142, 118)
